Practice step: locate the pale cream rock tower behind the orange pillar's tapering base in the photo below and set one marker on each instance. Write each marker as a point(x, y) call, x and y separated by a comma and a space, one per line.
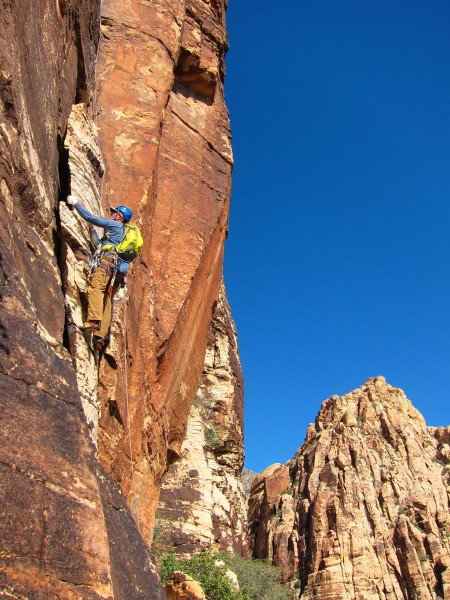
point(202, 502)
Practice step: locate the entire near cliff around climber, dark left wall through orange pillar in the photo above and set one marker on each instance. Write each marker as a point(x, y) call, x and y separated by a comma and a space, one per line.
point(130, 114)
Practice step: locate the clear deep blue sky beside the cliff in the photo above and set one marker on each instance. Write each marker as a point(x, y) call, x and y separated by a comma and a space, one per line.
point(337, 262)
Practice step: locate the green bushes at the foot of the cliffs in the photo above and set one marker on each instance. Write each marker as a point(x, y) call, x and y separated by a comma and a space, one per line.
point(258, 580)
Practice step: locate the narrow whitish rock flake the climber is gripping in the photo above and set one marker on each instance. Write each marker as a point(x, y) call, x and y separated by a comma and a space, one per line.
point(85, 172)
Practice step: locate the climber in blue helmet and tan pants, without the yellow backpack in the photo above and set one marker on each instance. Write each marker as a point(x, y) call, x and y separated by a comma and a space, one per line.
point(109, 271)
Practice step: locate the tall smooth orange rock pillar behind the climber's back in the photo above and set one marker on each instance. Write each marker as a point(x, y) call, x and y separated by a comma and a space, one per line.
point(165, 137)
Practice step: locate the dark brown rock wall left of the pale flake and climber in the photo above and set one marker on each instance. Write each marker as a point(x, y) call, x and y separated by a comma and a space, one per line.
point(53, 532)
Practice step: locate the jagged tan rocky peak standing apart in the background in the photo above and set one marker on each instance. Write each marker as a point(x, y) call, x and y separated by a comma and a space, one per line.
point(364, 513)
